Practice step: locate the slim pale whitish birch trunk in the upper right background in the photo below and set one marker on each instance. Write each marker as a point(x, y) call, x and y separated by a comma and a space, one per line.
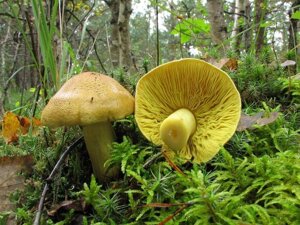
point(238, 25)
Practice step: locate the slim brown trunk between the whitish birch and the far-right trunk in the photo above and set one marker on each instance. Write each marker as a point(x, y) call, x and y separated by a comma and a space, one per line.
point(260, 9)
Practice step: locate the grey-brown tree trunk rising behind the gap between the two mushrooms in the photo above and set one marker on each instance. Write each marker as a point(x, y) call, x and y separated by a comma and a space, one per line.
point(120, 35)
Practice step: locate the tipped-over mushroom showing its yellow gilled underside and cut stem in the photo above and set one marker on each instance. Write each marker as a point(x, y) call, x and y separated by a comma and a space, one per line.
point(188, 106)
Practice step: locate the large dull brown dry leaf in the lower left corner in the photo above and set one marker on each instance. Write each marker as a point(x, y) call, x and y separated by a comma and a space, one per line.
point(10, 178)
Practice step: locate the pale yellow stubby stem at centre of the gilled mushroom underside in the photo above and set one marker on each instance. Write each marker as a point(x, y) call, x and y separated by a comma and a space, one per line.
point(177, 128)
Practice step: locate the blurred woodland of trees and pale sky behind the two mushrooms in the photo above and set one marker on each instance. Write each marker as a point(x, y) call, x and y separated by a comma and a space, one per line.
point(87, 35)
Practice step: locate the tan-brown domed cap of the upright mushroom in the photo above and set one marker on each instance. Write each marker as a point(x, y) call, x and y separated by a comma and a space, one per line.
point(88, 98)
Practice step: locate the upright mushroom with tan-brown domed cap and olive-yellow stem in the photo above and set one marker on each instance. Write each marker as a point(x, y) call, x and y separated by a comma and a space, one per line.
point(91, 100)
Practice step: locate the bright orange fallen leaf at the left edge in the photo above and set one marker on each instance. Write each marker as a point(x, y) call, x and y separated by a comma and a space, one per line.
point(10, 127)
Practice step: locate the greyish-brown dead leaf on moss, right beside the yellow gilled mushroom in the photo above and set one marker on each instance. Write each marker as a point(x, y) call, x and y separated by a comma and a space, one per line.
point(247, 122)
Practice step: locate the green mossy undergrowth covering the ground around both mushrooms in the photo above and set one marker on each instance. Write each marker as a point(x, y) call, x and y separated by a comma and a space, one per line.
point(254, 179)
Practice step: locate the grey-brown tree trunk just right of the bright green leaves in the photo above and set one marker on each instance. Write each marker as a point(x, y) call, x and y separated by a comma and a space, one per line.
point(217, 21)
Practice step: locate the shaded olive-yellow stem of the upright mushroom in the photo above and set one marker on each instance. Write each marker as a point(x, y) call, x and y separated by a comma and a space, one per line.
point(98, 139)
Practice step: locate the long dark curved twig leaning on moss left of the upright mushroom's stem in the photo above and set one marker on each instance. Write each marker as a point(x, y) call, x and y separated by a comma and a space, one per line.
point(50, 177)
